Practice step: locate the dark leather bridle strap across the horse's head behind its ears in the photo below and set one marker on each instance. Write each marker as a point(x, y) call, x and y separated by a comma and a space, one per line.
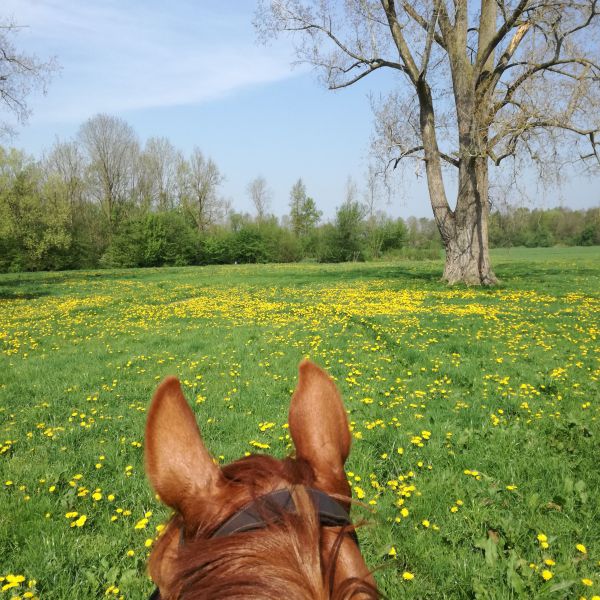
point(270, 508)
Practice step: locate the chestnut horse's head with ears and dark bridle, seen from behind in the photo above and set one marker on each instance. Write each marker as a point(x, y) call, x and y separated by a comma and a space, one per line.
point(258, 527)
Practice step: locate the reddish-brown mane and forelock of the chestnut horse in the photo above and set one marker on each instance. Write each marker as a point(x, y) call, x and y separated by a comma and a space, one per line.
point(283, 559)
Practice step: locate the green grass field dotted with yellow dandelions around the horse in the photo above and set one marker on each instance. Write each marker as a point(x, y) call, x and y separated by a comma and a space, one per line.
point(475, 414)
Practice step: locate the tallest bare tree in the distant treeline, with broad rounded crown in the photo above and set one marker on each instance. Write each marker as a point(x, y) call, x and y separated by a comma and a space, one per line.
point(113, 151)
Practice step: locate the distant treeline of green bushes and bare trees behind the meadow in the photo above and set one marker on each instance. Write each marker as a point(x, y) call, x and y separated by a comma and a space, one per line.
point(103, 200)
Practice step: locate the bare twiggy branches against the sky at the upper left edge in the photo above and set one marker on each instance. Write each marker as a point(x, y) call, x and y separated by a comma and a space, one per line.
point(20, 75)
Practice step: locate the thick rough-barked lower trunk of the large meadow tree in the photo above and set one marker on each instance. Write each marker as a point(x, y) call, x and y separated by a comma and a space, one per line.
point(467, 253)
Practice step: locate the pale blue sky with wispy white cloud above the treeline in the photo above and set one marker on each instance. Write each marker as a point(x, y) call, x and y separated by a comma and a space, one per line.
point(194, 72)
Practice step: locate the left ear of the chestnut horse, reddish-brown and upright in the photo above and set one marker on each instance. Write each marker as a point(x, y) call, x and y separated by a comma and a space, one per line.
point(178, 464)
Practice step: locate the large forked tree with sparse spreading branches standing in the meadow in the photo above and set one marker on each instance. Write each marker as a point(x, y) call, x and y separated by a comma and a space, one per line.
point(508, 79)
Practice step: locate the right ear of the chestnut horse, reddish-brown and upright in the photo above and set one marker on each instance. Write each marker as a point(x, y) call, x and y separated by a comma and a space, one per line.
point(319, 427)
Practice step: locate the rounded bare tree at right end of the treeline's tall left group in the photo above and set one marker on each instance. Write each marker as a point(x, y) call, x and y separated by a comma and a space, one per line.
point(198, 180)
